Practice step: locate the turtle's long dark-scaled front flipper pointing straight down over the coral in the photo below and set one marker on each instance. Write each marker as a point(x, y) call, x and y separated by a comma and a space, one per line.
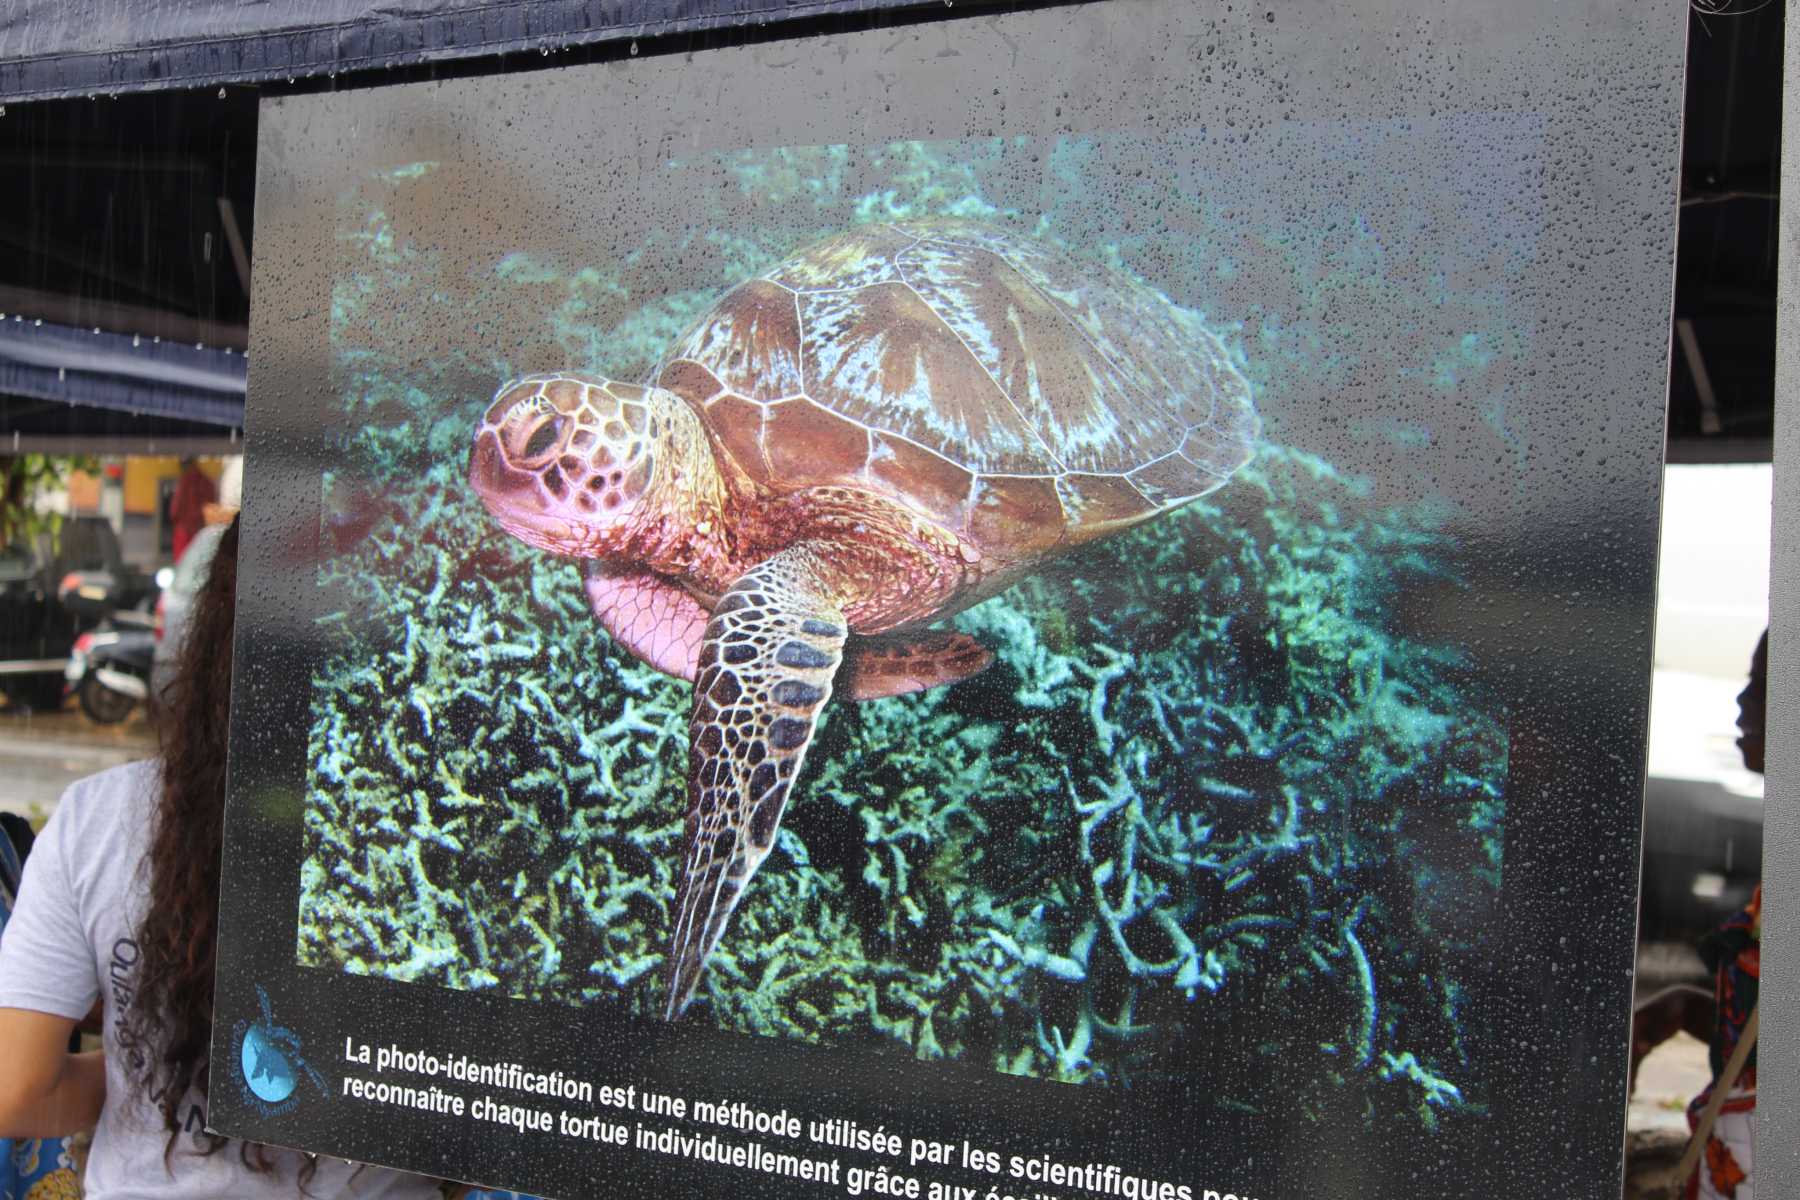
point(766, 670)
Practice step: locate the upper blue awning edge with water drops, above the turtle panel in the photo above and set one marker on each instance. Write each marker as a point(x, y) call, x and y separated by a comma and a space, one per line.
point(100, 48)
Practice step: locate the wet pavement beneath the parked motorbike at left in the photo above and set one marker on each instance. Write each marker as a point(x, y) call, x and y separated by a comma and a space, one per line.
point(44, 753)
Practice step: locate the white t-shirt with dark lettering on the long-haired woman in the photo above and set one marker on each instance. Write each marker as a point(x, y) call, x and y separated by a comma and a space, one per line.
point(69, 936)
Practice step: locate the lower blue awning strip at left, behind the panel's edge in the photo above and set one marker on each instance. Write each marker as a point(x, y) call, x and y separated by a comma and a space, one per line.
point(121, 373)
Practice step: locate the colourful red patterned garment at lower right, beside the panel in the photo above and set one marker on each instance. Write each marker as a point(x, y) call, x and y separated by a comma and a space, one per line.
point(1734, 953)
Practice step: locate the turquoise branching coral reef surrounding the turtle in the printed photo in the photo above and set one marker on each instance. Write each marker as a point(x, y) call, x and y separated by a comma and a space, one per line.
point(1216, 812)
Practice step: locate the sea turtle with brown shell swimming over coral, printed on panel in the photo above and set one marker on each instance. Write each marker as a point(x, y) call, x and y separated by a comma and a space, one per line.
point(888, 427)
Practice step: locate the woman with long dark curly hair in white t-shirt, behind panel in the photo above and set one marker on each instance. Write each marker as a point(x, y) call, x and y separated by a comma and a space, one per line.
point(118, 911)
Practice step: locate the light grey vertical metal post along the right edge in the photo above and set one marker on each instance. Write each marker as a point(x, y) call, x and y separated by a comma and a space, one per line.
point(1779, 1052)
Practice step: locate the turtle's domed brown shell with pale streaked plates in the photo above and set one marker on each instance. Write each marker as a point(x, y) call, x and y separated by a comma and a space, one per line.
point(1011, 393)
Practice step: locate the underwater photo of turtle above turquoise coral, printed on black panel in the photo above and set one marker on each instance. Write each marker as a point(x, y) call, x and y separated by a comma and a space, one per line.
point(910, 600)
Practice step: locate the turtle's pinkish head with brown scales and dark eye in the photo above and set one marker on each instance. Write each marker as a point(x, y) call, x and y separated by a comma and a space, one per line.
point(566, 461)
